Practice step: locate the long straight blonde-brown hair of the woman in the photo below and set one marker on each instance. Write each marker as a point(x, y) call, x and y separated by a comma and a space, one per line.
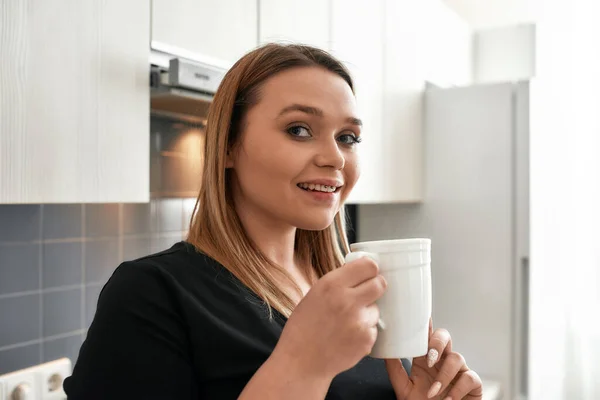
point(215, 228)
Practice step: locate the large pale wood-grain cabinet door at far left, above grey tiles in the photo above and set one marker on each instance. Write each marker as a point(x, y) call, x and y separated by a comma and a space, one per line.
point(74, 101)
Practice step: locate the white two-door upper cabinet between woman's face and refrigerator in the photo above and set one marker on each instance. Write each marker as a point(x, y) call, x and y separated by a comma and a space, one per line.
point(380, 42)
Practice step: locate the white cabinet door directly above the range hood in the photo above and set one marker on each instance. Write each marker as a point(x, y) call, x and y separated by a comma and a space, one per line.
point(223, 29)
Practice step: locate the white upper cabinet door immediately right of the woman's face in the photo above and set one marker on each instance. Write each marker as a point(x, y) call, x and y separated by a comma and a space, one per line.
point(357, 40)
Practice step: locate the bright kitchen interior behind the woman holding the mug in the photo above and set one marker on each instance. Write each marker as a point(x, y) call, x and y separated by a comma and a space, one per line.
point(467, 142)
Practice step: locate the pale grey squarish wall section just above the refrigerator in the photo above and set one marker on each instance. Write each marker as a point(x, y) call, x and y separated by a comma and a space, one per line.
point(504, 54)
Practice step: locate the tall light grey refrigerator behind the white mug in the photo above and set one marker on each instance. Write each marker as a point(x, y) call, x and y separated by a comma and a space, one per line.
point(476, 211)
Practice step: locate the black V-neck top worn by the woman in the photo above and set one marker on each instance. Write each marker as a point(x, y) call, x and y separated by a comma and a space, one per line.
point(178, 325)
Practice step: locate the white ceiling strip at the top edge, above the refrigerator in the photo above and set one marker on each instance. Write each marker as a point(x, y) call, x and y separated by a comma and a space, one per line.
point(483, 14)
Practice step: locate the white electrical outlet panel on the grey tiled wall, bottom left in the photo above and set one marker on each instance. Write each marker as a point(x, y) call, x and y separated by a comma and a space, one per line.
point(41, 382)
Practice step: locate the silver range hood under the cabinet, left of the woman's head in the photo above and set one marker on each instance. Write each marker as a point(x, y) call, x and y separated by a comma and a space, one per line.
point(182, 88)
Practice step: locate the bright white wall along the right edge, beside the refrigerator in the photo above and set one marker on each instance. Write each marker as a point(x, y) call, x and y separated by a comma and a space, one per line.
point(565, 204)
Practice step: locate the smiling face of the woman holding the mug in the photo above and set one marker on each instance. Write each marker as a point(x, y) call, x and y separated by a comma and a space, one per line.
point(296, 160)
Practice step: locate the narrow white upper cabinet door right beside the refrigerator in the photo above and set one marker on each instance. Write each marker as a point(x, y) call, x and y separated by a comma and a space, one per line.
point(404, 84)
